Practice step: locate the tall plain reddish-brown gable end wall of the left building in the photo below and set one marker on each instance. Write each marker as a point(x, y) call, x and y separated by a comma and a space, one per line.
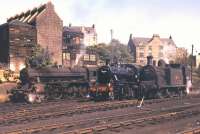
point(49, 33)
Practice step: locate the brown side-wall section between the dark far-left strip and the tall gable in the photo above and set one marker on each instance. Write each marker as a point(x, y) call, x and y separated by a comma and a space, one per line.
point(22, 39)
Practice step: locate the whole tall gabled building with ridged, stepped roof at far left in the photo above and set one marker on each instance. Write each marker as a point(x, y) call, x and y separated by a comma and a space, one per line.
point(48, 27)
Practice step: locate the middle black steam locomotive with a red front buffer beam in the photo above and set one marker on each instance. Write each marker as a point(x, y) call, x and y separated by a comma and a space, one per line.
point(116, 82)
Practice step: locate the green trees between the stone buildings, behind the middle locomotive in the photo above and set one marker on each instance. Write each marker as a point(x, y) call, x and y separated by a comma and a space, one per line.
point(114, 50)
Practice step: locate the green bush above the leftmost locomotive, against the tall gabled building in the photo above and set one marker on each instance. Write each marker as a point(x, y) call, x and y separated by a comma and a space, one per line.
point(40, 58)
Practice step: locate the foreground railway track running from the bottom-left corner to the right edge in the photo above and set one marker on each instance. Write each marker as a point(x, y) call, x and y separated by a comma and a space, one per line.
point(112, 122)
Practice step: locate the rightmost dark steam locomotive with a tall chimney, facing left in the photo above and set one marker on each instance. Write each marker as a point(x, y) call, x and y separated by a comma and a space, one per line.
point(164, 80)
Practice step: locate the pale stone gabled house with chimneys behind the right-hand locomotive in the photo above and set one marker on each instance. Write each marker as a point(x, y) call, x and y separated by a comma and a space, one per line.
point(159, 48)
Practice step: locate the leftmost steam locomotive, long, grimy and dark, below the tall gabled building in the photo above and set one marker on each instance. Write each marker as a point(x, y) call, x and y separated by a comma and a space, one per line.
point(54, 83)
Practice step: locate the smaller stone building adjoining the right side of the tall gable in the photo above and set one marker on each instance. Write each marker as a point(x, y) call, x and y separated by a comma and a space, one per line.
point(74, 50)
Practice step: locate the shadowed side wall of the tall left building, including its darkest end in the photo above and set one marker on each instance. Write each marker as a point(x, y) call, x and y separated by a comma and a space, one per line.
point(17, 42)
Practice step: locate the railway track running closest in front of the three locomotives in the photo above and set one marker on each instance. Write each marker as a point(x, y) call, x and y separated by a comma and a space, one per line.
point(25, 116)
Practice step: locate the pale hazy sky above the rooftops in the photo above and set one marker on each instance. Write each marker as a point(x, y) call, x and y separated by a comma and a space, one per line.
point(141, 18)
